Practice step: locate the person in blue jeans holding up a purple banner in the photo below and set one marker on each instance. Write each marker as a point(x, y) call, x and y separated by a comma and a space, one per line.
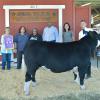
point(6, 48)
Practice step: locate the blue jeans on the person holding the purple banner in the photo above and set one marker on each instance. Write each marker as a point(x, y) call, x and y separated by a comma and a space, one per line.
point(6, 58)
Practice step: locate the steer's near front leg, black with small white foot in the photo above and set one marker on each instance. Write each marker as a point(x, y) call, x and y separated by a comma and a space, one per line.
point(82, 76)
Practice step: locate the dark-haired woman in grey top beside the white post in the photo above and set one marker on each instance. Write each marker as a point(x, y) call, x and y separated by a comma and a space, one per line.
point(67, 34)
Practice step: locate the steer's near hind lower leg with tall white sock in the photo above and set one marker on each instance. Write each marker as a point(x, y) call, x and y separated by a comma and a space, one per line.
point(27, 83)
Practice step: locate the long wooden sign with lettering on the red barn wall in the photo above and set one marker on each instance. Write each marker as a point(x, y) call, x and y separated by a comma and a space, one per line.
point(34, 16)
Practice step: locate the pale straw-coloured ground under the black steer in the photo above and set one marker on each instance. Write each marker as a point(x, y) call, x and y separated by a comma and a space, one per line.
point(48, 84)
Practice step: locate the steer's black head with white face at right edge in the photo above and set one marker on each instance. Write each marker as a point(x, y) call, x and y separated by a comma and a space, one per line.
point(95, 37)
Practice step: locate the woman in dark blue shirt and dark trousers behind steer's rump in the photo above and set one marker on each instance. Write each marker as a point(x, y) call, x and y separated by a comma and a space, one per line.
point(20, 40)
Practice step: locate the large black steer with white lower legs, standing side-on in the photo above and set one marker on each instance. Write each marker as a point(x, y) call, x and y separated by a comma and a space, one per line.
point(59, 57)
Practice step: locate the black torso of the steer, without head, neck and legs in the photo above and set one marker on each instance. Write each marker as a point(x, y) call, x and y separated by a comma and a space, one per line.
point(58, 57)
